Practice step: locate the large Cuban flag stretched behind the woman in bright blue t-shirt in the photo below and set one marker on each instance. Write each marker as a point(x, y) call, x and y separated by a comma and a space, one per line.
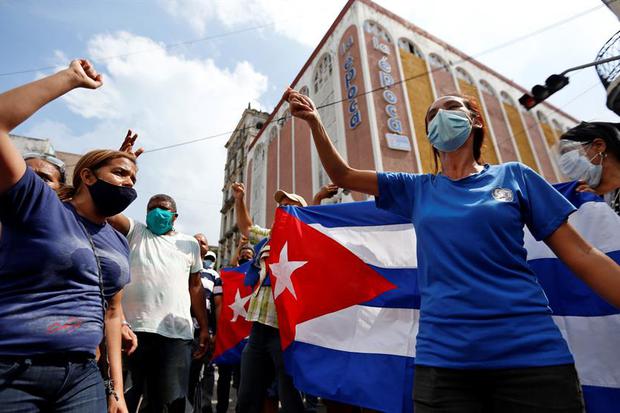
point(345, 287)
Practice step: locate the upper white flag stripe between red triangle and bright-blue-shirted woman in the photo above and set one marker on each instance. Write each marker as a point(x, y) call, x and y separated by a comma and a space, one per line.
point(384, 246)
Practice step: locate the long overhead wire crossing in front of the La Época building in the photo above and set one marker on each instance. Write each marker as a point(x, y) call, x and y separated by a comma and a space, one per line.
point(425, 73)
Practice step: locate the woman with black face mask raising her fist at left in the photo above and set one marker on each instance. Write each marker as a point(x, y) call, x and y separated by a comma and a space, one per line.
point(61, 266)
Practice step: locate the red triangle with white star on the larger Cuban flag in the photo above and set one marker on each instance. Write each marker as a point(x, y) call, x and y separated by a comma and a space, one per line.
point(317, 275)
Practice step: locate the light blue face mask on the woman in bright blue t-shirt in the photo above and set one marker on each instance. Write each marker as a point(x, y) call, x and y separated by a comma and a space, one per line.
point(449, 130)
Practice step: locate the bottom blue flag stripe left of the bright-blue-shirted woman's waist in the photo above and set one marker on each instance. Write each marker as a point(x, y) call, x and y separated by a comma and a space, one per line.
point(359, 379)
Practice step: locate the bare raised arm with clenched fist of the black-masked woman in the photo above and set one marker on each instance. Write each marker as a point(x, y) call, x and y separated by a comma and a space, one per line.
point(20, 103)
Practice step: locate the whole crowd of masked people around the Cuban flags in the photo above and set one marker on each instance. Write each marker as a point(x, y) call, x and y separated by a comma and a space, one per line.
point(100, 312)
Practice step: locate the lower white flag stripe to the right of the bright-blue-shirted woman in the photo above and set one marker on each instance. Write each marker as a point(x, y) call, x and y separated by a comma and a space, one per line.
point(594, 344)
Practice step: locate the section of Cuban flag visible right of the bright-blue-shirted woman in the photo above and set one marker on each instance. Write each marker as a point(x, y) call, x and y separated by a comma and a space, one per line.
point(590, 325)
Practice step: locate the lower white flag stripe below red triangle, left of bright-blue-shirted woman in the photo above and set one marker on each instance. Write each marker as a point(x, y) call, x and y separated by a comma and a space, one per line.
point(376, 330)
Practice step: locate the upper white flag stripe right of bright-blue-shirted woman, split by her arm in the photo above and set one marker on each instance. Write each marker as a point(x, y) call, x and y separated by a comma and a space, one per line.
point(602, 233)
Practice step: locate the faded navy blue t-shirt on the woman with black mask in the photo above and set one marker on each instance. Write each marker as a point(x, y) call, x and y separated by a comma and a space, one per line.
point(50, 299)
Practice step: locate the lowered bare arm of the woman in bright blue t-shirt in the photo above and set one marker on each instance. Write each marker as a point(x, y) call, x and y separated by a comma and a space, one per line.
point(593, 267)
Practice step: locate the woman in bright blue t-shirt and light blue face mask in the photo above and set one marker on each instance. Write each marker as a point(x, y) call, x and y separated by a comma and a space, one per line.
point(486, 340)
